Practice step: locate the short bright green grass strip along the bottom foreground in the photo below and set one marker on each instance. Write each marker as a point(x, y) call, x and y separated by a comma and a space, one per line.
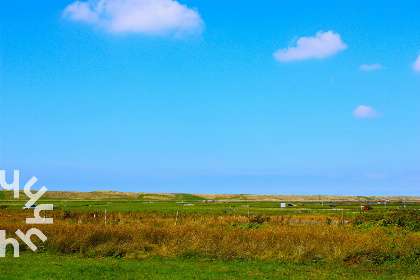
point(45, 266)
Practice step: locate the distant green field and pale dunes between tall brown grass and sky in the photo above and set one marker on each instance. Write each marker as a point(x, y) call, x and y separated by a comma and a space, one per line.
point(118, 201)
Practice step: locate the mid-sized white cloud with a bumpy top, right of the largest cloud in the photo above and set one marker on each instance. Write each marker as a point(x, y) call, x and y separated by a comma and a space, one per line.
point(324, 44)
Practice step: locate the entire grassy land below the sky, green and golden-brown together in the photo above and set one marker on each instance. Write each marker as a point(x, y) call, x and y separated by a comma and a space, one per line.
point(175, 236)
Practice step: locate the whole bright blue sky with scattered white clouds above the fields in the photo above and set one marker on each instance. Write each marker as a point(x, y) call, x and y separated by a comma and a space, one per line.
point(271, 97)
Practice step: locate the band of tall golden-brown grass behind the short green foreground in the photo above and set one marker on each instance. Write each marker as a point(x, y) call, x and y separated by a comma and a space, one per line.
point(288, 239)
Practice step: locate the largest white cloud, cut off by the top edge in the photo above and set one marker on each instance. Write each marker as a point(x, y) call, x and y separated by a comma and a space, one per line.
point(139, 16)
